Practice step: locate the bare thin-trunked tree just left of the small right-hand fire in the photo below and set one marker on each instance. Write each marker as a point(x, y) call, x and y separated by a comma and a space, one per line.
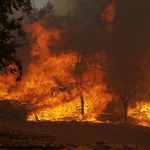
point(128, 78)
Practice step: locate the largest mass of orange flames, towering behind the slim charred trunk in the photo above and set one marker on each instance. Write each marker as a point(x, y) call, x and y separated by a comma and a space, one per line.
point(51, 84)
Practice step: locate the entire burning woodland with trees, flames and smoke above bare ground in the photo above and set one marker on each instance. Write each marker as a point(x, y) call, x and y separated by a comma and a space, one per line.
point(88, 64)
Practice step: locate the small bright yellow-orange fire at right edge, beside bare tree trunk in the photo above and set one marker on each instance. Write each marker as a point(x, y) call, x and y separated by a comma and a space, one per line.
point(141, 114)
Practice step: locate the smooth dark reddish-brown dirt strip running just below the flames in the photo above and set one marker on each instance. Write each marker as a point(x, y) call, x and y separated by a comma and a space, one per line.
point(88, 132)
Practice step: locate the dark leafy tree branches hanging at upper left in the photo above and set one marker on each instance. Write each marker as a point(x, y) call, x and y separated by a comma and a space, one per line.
point(8, 30)
